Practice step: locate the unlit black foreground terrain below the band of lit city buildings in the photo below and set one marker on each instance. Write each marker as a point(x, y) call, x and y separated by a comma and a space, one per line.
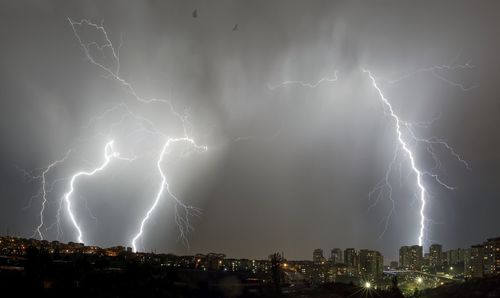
point(78, 275)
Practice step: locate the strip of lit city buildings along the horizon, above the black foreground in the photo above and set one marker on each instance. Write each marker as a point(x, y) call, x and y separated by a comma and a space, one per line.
point(474, 261)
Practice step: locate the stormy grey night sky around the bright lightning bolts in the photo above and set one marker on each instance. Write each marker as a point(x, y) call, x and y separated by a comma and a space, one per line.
point(287, 169)
